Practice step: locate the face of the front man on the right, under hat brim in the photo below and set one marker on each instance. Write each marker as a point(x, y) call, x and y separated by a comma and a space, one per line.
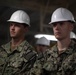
point(62, 29)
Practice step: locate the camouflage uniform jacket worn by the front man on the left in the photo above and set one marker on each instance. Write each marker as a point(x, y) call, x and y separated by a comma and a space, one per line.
point(18, 61)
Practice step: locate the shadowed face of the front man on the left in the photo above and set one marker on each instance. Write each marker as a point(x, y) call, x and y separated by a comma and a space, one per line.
point(17, 30)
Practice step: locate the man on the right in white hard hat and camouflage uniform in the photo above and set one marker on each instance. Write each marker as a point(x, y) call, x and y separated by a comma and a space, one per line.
point(62, 60)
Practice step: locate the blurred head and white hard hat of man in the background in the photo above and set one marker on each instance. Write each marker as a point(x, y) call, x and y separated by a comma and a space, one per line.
point(42, 44)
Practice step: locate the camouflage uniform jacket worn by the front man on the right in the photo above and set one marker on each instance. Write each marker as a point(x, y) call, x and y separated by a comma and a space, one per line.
point(61, 64)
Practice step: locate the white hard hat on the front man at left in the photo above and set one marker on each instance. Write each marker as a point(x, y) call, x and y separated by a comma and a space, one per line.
point(20, 16)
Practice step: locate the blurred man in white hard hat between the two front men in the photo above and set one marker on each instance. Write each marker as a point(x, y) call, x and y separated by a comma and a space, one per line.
point(42, 46)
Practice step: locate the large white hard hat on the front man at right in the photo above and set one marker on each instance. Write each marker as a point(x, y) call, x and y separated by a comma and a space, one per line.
point(62, 14)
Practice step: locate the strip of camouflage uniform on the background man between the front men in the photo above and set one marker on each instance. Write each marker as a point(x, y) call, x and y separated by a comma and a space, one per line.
point(38, 65)
